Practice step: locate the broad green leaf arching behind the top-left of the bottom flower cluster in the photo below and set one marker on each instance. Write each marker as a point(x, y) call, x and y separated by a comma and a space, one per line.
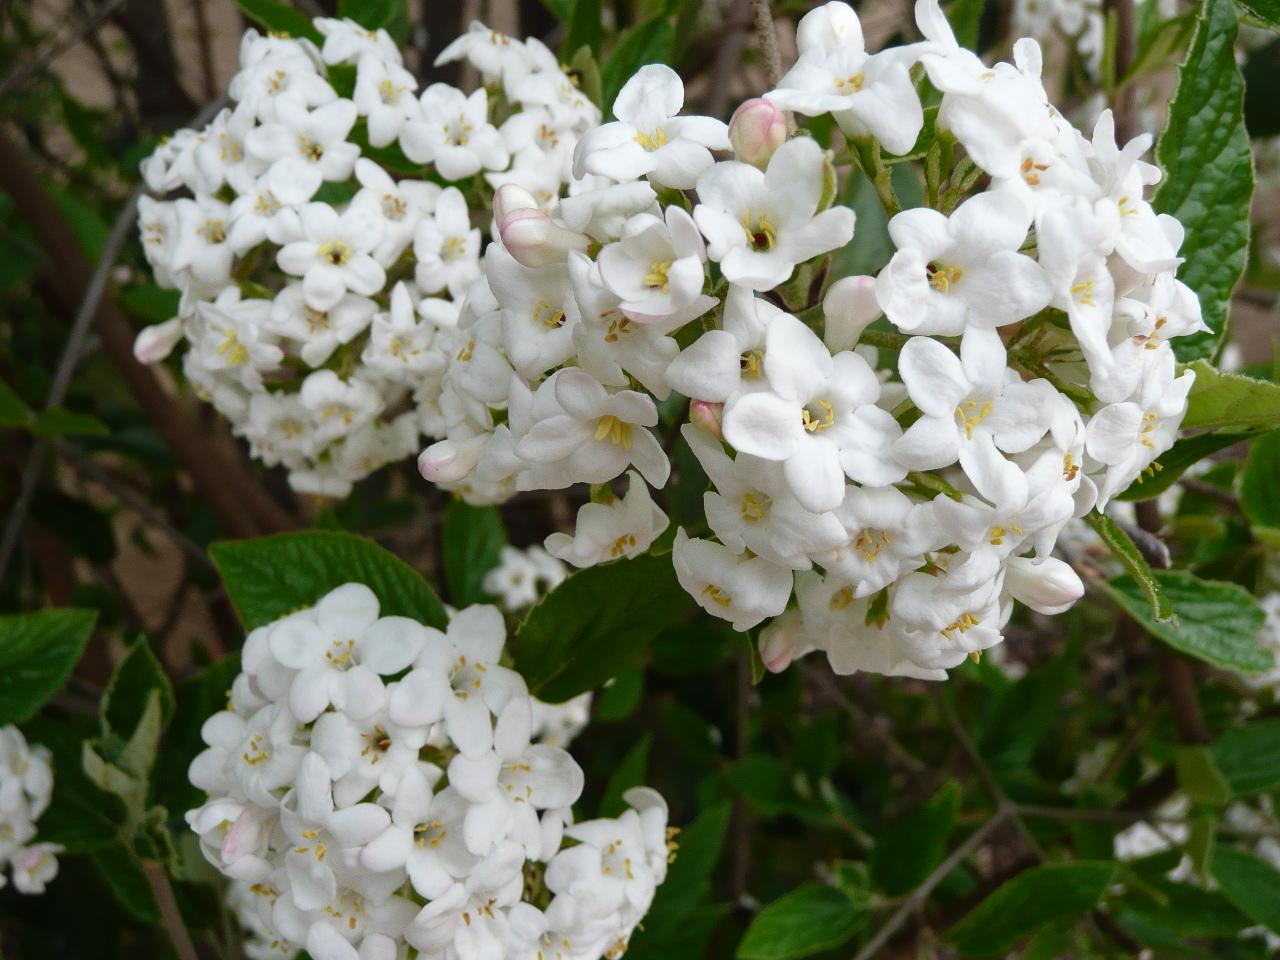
point(276, 575)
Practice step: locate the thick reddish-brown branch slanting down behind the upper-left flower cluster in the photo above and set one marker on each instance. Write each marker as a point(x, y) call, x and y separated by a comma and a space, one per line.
point(220, 474)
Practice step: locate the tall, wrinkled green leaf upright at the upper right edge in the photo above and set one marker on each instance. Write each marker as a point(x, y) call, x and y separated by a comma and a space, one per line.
point(1209, 172)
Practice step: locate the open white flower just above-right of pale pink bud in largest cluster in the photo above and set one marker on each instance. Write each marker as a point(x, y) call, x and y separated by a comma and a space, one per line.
point(964, 271)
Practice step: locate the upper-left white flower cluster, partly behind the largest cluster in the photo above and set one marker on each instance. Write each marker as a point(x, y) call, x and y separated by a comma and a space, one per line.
point(326, 239)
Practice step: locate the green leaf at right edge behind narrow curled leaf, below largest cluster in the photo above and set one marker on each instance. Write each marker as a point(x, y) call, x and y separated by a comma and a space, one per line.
point(1218, 623)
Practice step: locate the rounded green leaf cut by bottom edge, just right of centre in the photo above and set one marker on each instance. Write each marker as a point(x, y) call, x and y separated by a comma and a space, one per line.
point(812, 918)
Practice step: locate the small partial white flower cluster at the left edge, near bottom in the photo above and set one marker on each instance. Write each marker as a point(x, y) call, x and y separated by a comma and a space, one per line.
point(26, 788)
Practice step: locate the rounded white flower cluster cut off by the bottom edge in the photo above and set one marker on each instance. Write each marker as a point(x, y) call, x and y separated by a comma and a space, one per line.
point(374, 787)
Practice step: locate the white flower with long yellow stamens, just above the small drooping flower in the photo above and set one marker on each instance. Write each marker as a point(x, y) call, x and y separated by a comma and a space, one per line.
point(596, 436)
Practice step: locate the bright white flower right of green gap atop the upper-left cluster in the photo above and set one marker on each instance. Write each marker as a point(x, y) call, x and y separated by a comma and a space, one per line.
point(454, 134)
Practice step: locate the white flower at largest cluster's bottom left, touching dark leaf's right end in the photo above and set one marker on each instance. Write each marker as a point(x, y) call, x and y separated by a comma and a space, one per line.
point(742, 589)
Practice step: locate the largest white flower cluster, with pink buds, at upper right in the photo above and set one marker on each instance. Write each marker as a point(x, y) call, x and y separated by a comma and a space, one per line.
point(903, 508)
